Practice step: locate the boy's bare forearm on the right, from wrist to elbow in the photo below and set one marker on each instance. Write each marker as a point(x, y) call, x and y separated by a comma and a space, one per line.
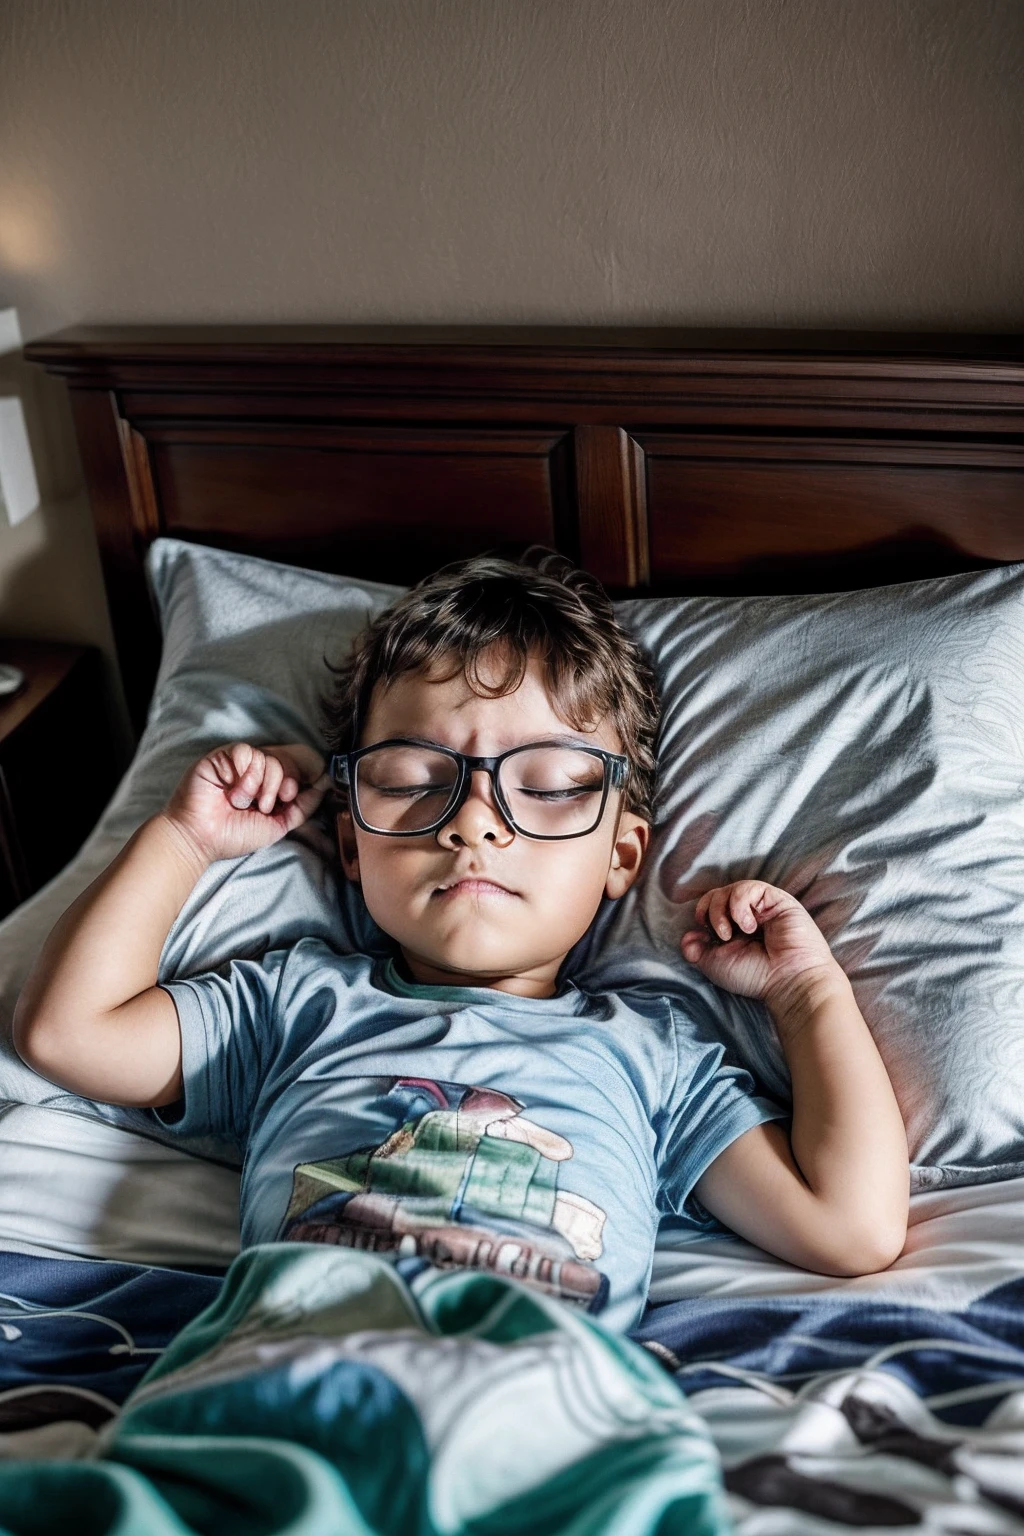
point(848, 1136)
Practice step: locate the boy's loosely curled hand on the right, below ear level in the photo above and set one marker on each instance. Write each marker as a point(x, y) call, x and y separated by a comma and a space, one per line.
point(761, 942)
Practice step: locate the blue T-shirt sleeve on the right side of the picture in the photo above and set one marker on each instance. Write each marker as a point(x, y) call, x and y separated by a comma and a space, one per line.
point(710, 1105)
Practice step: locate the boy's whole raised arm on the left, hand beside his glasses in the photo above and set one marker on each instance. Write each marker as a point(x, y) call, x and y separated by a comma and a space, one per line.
point(91, 1016)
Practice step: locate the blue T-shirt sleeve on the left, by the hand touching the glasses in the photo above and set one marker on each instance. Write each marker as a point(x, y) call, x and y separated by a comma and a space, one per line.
point(228, 1022)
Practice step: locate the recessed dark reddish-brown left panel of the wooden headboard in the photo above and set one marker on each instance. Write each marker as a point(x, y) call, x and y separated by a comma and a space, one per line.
point(365, 500)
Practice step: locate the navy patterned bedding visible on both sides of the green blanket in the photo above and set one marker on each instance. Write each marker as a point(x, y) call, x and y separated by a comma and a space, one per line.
point(842, 1411)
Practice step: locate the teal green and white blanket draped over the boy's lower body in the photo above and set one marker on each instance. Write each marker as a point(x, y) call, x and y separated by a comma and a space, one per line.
point(322, 1395)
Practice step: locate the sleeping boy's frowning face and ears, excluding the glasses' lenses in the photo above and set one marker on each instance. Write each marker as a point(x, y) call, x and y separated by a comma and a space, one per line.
point(478, 904)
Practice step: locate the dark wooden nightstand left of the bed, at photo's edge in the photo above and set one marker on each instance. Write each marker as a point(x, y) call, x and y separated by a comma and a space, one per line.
point(58, 763)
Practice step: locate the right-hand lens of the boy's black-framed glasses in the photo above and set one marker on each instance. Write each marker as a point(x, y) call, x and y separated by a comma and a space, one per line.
point(553, 792)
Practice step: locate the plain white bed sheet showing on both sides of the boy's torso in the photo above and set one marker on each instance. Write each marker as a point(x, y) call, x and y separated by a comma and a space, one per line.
point(78, 1188)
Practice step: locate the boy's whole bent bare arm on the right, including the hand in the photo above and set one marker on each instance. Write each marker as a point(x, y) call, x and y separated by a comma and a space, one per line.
point(834, 1194)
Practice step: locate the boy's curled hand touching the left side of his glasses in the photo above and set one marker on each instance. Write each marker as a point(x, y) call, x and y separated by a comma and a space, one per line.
point(242, 798)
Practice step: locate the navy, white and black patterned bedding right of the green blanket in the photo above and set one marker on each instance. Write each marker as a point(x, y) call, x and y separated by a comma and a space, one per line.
point(836, 1414)
